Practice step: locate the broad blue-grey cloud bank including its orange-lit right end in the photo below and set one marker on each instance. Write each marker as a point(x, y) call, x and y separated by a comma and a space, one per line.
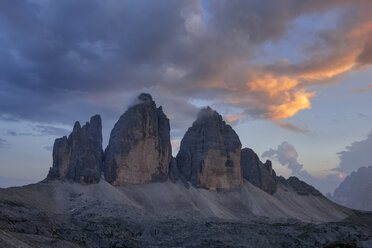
point(68, 60)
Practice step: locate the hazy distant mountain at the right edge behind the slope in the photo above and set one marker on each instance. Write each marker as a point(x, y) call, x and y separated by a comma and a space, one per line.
point(356, 190)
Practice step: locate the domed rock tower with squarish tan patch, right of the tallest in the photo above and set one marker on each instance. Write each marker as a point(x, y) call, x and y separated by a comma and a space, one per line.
point(209, 155)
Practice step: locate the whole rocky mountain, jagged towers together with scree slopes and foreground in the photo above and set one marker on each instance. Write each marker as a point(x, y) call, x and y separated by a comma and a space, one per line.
point(213, 194)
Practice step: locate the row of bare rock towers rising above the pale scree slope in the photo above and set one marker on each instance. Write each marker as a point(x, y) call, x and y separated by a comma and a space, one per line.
point(139, 152)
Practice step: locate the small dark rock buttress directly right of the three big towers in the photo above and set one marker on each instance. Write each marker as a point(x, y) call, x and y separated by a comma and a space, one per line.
point(259, 174)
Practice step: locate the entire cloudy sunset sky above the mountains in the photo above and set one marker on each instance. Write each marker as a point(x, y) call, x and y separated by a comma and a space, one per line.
point(293, 77)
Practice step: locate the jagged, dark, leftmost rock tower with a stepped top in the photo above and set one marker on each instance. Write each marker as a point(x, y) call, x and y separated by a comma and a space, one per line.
point(79, 157)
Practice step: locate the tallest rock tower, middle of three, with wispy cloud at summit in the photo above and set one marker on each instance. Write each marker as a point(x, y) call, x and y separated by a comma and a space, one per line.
point(139, 149)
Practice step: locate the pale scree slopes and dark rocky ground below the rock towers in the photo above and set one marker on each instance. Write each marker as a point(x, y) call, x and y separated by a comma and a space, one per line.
point(64, 214)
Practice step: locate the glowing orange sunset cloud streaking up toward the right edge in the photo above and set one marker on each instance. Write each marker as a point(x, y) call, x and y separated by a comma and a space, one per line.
point(279, 90)
